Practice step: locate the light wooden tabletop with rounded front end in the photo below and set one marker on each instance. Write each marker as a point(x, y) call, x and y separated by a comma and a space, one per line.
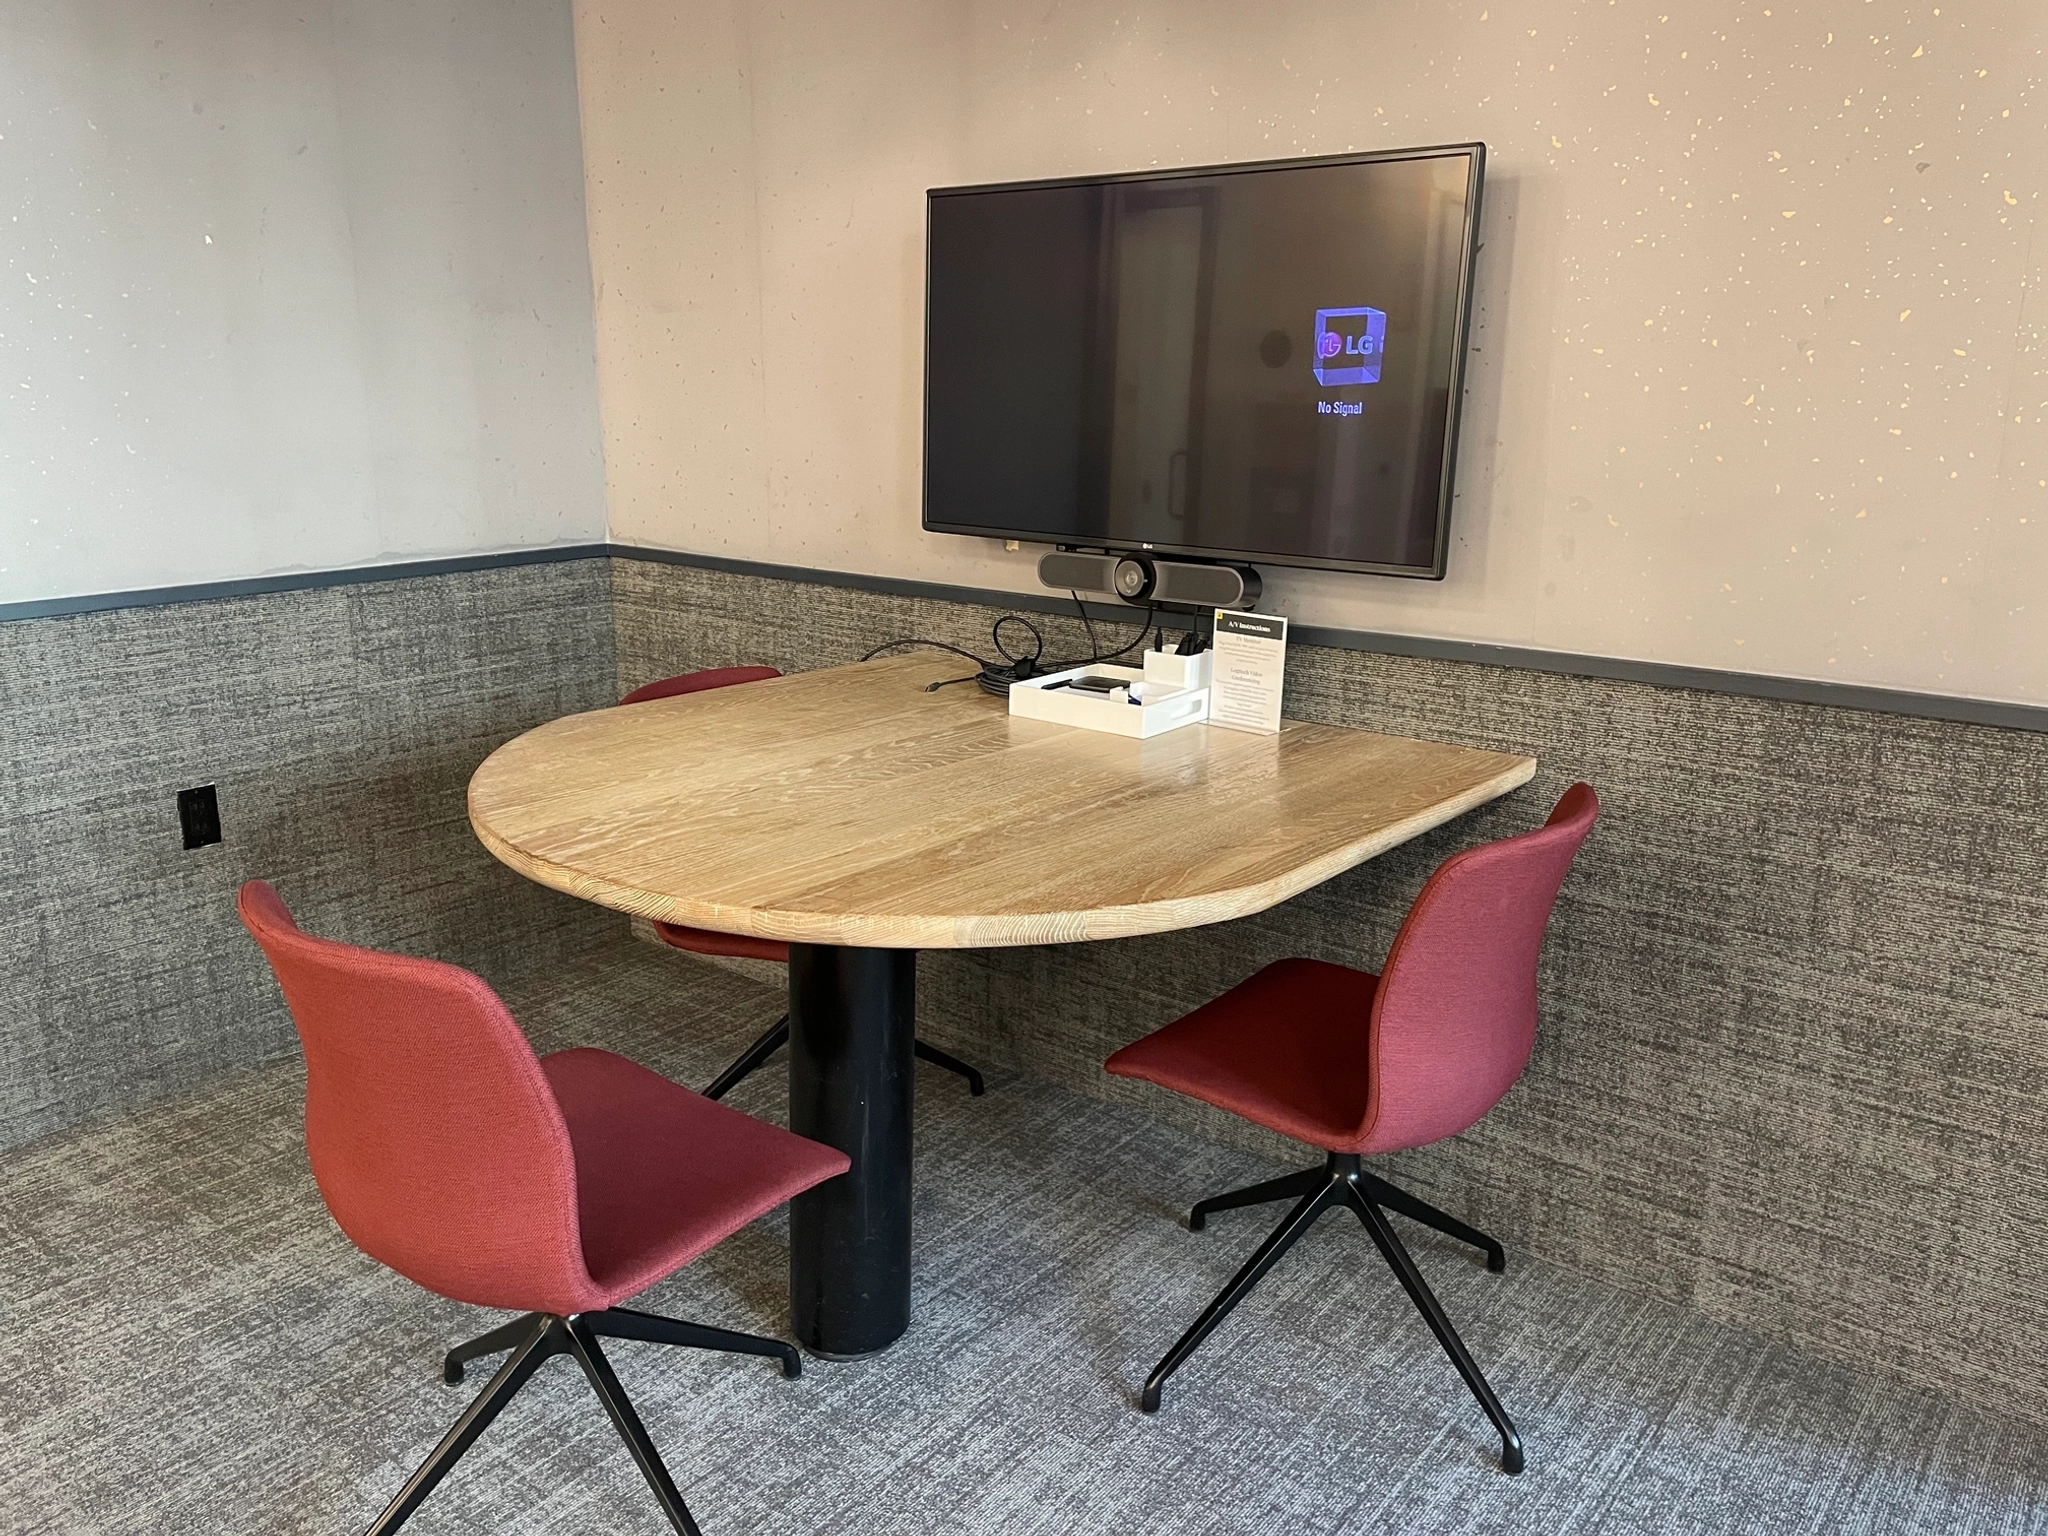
point(855, 808)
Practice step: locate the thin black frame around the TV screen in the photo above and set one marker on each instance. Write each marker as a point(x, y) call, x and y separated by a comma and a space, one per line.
point(1461, 341)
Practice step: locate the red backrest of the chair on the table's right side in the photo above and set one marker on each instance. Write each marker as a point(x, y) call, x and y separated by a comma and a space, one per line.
point(1455, 1013)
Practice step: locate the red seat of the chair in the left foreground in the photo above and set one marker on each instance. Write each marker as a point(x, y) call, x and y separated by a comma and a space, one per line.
point(663, 1172)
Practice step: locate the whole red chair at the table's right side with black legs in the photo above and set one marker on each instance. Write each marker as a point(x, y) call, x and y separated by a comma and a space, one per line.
point(1363, 1064)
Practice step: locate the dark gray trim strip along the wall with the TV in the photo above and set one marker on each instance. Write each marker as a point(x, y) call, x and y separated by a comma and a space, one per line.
point(1660, 675)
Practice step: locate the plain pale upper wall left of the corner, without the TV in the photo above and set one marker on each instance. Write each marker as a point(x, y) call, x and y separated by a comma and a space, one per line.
point(288, 288)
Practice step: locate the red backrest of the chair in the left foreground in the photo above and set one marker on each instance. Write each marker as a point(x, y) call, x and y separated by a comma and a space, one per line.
point(433, 1134)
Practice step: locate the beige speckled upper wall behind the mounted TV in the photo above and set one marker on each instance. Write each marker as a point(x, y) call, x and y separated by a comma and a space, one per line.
point(1758, 368)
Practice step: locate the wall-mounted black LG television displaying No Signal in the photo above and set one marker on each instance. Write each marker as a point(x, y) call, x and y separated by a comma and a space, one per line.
point(1256, 364)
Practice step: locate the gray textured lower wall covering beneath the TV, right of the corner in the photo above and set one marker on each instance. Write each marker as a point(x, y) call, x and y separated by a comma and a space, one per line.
point(1795, 1033)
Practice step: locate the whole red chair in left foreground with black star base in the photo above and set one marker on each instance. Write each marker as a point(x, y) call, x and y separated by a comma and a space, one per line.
point(550, 1187)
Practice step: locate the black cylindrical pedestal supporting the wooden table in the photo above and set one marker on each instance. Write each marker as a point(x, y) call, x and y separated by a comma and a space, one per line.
point(851, 1035)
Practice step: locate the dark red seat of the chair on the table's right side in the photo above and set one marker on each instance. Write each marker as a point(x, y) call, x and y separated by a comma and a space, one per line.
point(1285, 1050)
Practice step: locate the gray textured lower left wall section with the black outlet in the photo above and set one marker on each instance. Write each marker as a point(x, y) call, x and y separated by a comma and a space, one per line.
point(341, 728)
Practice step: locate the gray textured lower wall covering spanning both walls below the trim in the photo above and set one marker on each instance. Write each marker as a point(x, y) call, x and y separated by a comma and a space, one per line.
point(1795, 1005)
